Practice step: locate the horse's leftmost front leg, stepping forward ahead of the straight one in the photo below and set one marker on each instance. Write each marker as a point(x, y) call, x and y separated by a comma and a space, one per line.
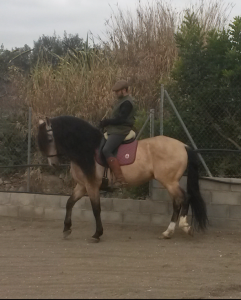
point(78, 192)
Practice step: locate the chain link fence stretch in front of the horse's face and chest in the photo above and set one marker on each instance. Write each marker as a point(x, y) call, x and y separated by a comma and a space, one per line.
point(22, 167)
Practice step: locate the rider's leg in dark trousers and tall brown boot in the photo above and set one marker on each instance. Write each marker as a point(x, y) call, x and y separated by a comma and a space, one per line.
point(111, 144)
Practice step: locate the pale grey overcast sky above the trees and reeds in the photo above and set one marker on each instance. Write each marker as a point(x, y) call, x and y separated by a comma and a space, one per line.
point(24, 21)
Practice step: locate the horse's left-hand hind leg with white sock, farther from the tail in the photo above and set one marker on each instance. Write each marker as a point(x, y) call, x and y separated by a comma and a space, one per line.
point(178, 198)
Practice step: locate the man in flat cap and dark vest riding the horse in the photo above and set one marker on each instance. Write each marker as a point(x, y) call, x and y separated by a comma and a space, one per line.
point(118, 127)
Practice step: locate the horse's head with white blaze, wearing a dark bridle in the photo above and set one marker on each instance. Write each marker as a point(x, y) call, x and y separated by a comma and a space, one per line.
point(46, 142)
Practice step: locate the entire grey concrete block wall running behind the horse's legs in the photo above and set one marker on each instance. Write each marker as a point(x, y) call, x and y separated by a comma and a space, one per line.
point(223, 205)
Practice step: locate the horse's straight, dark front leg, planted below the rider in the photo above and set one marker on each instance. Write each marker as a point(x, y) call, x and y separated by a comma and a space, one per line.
point(94, 195)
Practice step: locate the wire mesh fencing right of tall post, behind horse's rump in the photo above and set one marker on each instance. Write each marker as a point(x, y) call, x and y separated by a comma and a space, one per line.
point(212, 117)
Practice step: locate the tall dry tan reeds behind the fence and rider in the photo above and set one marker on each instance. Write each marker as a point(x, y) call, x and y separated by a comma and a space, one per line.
point(140, 48)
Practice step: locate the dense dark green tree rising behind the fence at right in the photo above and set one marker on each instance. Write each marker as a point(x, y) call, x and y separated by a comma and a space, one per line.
point(206, 87)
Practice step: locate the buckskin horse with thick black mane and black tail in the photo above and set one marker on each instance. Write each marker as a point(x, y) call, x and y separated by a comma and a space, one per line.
point(162, 158)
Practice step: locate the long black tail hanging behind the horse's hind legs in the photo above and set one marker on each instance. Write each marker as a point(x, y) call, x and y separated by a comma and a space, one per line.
point(198, 206)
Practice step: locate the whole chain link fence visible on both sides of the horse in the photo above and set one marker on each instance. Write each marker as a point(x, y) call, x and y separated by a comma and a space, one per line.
point(211, 119)
